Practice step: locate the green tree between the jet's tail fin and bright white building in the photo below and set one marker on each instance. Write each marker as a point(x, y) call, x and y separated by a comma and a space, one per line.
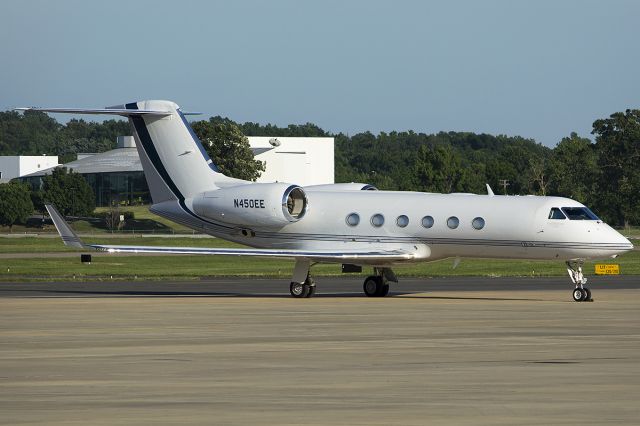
point(229, 149)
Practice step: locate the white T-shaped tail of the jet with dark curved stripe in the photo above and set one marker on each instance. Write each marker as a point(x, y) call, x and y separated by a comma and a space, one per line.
point(175, 163)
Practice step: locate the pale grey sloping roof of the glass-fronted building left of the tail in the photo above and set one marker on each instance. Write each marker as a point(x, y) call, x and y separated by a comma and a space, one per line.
point(115, 161)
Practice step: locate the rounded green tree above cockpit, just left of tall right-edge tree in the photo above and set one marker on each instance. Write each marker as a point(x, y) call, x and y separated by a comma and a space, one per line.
point(574, 169)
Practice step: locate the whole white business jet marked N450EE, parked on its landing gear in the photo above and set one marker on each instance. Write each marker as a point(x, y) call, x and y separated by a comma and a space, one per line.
point(352, 224)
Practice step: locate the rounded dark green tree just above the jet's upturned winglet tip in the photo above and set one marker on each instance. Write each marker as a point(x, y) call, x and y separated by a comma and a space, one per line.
point(69, 192)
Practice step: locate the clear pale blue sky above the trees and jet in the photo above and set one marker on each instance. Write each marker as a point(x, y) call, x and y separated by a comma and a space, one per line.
point(538, 69)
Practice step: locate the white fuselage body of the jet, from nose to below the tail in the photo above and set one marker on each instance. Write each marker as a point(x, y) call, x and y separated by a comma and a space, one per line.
point(516, 227)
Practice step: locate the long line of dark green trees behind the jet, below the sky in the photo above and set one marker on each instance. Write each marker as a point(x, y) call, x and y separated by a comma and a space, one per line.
point(604, 174)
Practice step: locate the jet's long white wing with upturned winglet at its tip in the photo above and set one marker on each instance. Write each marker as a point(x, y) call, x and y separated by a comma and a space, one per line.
point(70, 238)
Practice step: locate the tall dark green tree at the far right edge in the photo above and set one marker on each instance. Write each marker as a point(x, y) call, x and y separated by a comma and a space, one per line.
point(618, 149)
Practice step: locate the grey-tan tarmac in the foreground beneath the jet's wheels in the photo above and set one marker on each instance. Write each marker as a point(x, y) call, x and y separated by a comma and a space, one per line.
point(241, 351)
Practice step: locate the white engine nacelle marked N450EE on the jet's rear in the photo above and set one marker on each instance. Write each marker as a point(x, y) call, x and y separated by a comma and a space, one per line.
point(256, 204)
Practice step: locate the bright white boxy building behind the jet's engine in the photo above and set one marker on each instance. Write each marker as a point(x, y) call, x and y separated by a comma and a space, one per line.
point(299, 160)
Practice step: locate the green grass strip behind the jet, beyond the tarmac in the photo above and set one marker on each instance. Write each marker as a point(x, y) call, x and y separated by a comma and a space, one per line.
point(196, 267)
